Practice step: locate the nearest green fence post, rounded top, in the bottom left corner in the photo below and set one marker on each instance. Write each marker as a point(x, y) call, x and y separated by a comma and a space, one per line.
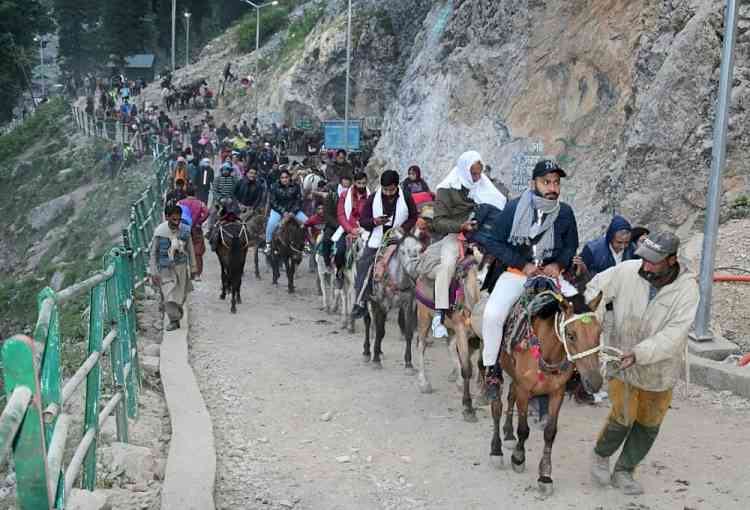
point(29, 450)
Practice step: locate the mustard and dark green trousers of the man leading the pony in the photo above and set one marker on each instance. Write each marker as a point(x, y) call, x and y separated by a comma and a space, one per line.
point(634, 419)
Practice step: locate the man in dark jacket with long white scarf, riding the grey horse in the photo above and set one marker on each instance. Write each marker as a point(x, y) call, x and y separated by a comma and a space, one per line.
point(389, 207)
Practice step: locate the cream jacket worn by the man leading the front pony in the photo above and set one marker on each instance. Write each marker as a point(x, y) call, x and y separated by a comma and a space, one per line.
point(656, 331)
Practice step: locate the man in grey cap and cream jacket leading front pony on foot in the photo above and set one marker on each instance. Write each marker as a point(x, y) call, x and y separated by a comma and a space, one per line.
point(654, 302)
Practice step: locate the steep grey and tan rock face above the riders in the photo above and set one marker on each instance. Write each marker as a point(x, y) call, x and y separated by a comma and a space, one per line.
point(620, 92)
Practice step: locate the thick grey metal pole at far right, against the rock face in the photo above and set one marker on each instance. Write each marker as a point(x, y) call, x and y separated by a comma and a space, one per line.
point(718, 161)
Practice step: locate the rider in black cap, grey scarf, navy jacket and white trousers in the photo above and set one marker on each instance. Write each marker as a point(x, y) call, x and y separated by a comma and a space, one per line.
point(536, 234)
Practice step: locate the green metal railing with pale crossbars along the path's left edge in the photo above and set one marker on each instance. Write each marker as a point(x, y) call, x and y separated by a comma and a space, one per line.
point(34, 427)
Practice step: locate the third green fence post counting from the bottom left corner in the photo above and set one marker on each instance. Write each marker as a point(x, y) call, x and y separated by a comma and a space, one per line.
point(93, 382)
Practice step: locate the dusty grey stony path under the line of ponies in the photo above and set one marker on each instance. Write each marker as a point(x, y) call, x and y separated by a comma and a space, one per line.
point(301, 422)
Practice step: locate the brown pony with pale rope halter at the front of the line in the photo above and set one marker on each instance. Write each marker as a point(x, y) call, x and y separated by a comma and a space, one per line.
point(561, 334)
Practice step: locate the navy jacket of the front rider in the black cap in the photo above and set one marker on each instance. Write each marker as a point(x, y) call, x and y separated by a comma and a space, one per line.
point(566, 239)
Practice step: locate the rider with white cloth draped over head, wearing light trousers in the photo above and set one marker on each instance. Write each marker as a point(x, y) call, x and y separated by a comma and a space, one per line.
point(464, 188)
